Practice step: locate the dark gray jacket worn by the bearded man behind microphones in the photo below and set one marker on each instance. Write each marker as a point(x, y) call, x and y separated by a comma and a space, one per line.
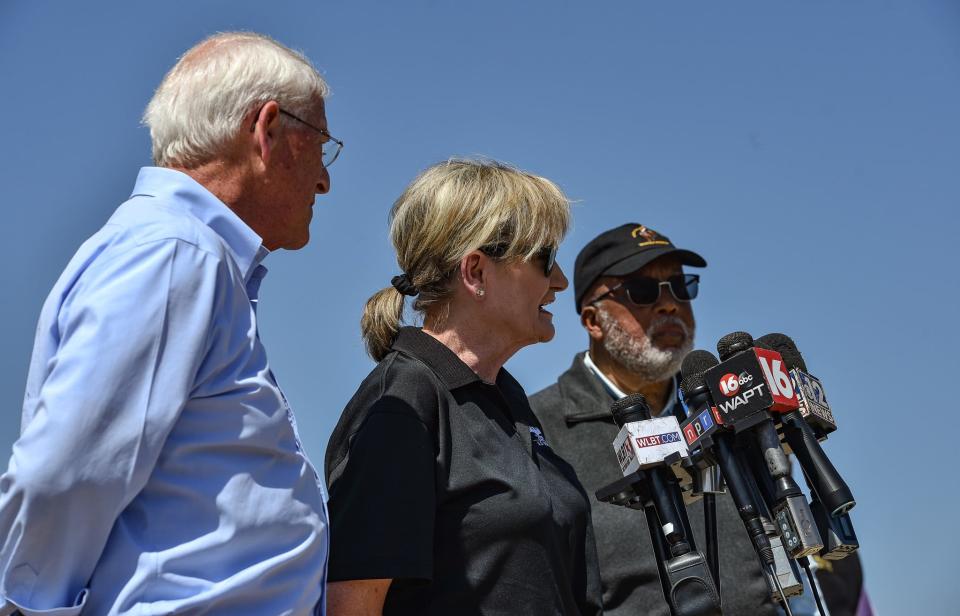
point(575, 414)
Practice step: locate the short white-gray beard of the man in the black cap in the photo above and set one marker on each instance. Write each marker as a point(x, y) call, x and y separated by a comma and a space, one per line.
point(639, 354)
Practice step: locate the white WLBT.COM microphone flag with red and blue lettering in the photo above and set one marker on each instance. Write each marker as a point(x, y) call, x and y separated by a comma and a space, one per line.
point(645, 444)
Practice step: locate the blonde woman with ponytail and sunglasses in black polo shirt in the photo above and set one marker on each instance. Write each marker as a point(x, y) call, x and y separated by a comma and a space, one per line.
point(444, 496)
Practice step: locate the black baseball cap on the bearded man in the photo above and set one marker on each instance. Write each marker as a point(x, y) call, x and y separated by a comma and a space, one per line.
point(622, 251)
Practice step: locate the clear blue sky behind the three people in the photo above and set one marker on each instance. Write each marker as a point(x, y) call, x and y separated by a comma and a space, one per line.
point(809, 150)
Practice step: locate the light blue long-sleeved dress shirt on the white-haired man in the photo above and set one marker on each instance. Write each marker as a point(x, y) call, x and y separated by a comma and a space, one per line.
point(158, 468)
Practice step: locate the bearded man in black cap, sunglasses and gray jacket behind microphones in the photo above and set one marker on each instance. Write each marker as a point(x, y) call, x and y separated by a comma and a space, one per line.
point(635, 303)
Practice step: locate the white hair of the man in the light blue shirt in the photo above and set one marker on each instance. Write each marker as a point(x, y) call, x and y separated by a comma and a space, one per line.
point(202, 101)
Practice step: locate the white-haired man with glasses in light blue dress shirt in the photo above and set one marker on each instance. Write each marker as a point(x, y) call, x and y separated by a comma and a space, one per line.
point(158, 468)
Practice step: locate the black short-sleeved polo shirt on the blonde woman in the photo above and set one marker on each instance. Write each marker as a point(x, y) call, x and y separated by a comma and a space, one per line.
point(444, 483)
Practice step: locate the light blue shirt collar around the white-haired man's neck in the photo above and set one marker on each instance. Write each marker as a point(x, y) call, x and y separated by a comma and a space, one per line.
point(179, 189)
